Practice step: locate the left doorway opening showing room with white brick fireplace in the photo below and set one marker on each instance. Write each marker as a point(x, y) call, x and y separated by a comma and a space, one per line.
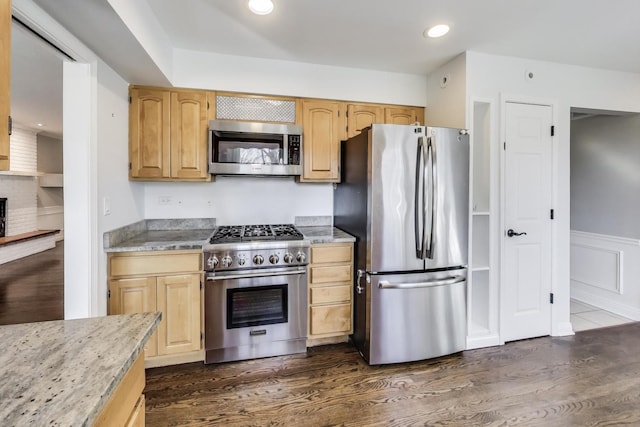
point(32, 278)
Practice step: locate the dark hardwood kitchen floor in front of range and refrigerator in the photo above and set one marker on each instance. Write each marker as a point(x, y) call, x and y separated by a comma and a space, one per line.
point(590, 379)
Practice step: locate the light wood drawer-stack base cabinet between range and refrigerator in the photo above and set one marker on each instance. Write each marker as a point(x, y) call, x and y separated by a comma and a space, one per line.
point(330, 293)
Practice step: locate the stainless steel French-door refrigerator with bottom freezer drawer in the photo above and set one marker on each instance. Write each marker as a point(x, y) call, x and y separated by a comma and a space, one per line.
point(404, 195)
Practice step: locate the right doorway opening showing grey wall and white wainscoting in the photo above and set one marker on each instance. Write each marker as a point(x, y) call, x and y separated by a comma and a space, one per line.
point(605, 203)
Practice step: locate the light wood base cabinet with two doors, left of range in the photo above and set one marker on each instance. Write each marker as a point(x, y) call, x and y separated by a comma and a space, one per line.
point(164, 281)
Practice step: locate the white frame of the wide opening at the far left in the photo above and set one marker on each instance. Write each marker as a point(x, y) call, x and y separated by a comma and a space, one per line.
point(80, 143)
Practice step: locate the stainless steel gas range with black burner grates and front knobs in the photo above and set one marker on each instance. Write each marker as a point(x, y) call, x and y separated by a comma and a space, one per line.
point(255, 292)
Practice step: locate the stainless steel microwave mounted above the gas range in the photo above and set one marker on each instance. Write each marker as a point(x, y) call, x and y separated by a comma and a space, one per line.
point(248, 148)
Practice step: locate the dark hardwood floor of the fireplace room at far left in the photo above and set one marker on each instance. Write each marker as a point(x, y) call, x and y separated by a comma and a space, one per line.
point(32, 288)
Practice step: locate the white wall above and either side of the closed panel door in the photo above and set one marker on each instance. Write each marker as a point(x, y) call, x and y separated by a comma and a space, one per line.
point(496, 78)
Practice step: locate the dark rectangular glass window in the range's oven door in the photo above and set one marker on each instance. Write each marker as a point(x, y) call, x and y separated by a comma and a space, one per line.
point(259, 305)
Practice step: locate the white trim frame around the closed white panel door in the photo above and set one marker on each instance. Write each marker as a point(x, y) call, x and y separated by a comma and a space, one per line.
point(524, 99)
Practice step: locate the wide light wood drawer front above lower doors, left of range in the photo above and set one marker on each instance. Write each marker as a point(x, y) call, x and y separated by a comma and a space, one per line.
point(154, 264)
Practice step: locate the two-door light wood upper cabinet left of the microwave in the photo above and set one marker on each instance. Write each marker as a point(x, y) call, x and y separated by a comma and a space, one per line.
point(168, 134)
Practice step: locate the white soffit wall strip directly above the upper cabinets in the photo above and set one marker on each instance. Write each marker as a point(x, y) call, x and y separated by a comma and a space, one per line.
point(275, 77)
